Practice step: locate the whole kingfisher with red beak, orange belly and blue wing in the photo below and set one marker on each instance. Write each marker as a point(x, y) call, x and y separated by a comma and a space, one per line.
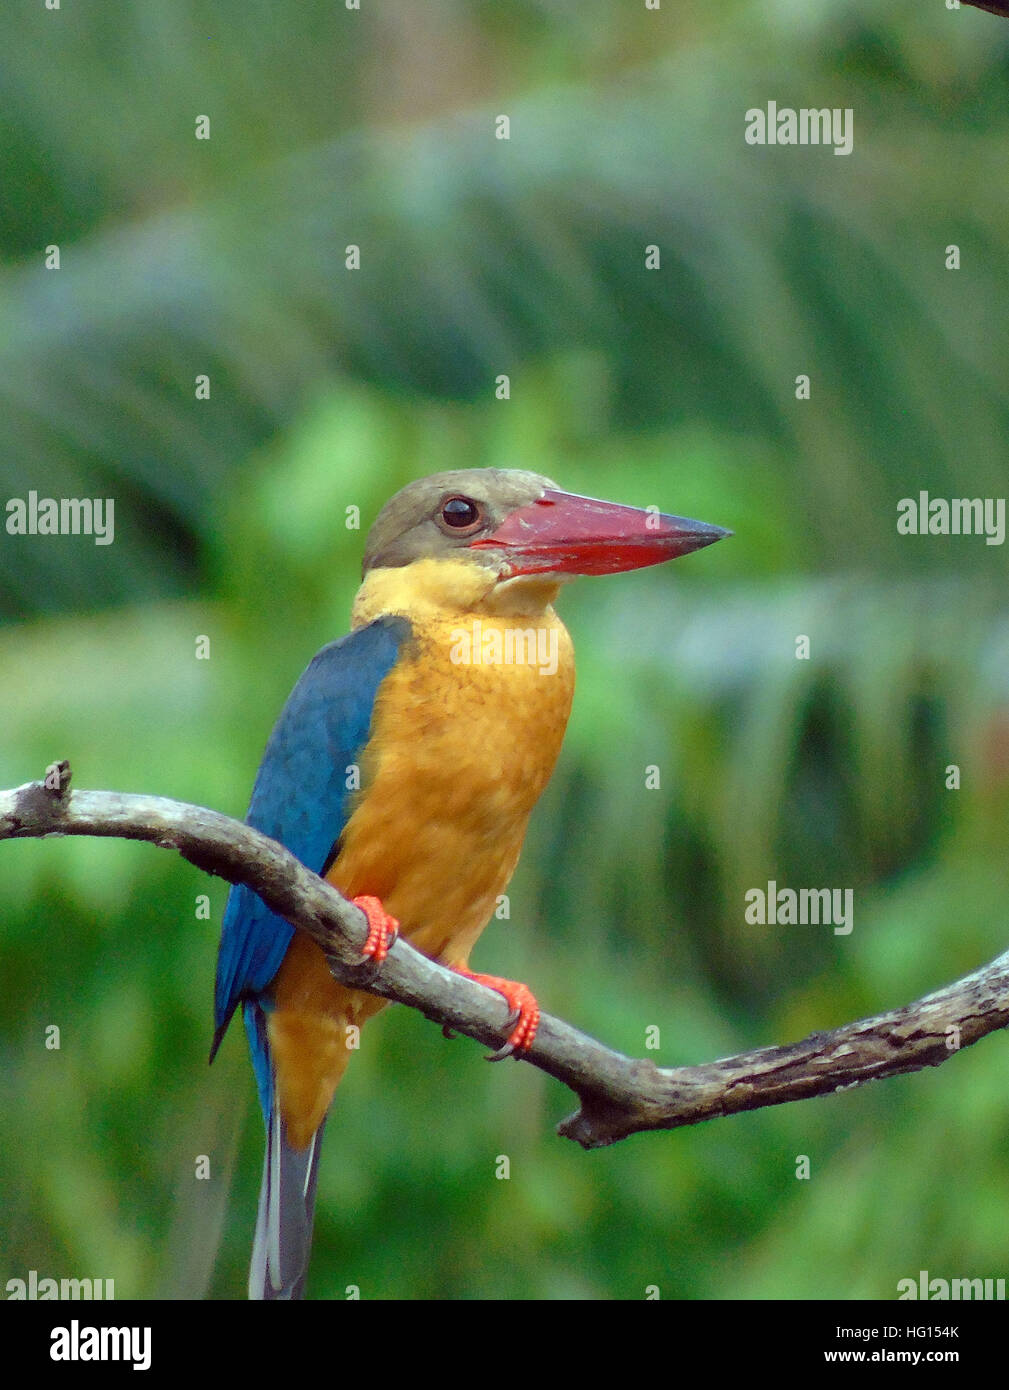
point(404, 769)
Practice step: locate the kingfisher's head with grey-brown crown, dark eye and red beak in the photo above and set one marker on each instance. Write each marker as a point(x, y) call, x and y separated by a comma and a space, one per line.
point(522, 532)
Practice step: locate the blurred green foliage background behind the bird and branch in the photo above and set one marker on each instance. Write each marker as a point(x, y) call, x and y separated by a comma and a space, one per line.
point(673, 389)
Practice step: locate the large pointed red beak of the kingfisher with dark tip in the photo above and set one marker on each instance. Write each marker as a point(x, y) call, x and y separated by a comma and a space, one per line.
point(562, 533)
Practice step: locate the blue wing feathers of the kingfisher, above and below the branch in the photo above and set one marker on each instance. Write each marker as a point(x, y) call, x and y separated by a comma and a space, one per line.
point(301, 799)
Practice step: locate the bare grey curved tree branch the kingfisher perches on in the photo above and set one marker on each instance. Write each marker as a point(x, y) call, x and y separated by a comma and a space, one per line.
point(619, 1096)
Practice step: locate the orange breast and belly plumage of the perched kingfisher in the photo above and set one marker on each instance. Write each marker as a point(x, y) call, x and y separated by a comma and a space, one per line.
point(458, 758)
